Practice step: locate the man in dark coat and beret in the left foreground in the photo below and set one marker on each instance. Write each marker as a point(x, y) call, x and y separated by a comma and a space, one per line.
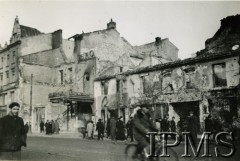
point(12, 133)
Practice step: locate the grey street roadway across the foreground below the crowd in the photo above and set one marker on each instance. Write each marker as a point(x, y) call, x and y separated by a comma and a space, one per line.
point(71, 147)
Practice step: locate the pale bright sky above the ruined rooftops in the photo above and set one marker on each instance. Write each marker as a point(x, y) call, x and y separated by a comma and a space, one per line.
point(186, 24)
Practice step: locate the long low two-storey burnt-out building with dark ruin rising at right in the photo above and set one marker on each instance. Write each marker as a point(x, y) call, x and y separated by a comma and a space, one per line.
point(205, 84)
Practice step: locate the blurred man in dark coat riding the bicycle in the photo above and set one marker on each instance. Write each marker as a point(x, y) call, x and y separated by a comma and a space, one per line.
point(141, 126)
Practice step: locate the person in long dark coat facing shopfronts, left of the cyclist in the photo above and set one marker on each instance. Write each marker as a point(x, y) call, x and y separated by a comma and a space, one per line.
point(120, 129)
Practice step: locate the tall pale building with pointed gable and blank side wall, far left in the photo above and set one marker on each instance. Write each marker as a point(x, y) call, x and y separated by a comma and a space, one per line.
point(28, 64)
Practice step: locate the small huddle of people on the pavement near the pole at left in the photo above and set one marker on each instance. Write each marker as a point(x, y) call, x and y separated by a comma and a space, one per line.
point(50, 127)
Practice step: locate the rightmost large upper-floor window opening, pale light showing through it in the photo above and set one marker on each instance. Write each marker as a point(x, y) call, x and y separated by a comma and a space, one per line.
point(219, 75)
